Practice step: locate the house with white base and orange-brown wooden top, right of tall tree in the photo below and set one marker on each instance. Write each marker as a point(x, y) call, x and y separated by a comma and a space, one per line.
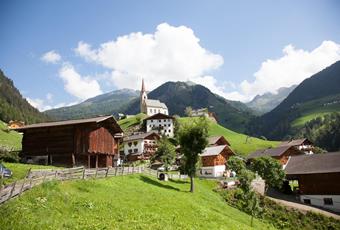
point(214, 159)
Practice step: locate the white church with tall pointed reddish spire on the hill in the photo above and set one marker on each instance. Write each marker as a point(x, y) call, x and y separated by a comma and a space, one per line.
point(151, 107)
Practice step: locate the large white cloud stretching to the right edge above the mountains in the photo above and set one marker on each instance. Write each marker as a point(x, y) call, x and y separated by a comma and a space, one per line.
point(292, 68)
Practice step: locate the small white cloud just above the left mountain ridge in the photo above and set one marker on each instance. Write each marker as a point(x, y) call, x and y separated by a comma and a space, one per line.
point(78, 86)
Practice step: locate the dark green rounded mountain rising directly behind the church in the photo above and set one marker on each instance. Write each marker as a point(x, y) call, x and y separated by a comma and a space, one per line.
point(179, 95)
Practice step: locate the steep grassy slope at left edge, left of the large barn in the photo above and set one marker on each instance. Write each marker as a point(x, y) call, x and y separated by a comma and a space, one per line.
point(9, 139)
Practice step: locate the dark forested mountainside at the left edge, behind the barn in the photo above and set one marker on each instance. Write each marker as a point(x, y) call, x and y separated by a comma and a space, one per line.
point(13, 106)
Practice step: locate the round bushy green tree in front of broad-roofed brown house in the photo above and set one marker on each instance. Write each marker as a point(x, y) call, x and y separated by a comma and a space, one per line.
point(270, 170)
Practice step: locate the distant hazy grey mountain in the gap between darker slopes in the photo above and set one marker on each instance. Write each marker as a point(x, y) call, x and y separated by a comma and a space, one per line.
point(268, 101)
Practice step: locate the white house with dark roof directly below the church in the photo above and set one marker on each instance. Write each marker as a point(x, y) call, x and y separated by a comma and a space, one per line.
point(161, 123)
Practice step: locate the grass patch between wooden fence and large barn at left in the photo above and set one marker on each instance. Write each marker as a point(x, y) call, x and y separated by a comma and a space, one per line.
point(20, 170)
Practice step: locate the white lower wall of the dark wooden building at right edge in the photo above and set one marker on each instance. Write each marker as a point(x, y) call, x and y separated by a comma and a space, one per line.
point(318, 200)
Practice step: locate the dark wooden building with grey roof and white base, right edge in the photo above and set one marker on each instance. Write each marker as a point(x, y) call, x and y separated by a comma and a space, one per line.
point(318, 176)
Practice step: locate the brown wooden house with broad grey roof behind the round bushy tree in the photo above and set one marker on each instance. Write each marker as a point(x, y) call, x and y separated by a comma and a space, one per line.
point(281, 154)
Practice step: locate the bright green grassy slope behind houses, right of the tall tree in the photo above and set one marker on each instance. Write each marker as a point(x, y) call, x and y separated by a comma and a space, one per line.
point(237, 140)
